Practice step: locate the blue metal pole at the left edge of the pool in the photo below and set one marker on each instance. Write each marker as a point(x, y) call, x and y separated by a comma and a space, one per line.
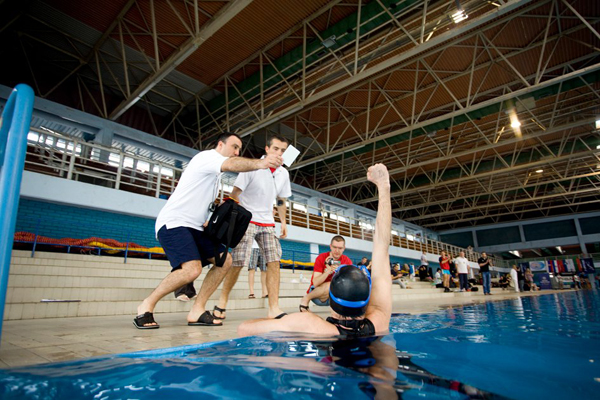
point(16, 118)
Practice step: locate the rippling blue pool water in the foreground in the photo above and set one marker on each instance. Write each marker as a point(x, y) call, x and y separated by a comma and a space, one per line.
point(527, 348)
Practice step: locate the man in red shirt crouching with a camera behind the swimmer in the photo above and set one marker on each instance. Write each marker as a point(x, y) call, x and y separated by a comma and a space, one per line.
point(325, 266)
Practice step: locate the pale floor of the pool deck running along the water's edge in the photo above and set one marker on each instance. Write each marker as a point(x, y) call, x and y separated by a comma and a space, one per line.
point(38, 341)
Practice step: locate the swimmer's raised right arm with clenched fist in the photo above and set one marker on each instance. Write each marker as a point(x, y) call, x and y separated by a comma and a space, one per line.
point(379, 309)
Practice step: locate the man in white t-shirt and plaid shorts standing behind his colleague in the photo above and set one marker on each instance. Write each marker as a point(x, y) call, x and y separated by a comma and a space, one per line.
point(256, 191)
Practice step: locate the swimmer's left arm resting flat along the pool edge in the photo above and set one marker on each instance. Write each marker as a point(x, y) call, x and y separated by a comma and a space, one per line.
point(296, 322)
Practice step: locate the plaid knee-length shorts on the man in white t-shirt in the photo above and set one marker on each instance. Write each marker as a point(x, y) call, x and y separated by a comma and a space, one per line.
point(267, 241)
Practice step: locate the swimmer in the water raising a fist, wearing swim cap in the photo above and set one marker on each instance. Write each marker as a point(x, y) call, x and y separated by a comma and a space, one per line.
point(361, 304)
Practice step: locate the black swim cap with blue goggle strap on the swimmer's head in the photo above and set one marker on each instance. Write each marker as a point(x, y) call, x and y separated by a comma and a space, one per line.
point(350, 290)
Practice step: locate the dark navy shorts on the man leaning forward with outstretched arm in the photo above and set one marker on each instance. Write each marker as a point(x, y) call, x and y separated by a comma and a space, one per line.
point(183, 244)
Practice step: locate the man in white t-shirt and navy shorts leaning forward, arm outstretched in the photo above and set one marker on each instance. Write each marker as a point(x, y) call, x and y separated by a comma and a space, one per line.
point(180, 228)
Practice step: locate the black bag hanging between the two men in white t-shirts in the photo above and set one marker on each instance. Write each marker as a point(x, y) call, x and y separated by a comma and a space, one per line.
point(227, 226)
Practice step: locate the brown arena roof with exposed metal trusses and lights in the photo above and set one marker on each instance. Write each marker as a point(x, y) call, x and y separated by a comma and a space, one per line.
point(483, 111)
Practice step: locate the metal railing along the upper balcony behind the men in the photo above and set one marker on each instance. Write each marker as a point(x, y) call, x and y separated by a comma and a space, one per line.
point(62, 156)
